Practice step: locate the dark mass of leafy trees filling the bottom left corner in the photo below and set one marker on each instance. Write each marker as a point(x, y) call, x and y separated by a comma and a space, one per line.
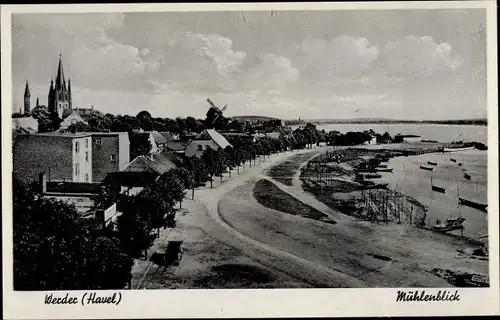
point(54, 249)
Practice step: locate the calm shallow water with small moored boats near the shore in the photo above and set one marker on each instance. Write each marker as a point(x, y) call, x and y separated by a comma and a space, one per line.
point(409, 179)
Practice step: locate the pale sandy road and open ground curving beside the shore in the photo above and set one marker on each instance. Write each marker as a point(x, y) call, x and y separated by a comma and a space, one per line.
point(343, 255)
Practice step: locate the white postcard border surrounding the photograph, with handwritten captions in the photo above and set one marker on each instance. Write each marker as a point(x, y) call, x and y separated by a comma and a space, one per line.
point(251, 302)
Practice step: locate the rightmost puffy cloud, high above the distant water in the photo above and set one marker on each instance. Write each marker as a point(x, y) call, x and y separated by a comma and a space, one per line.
point(418, 56)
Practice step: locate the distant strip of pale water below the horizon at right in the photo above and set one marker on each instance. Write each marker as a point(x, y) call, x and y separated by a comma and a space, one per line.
point(442, 133)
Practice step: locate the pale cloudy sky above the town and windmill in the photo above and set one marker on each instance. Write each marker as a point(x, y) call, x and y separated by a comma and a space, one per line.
point(399, 64)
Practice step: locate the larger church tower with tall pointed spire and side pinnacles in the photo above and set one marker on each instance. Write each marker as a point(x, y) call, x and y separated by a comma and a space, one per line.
point(59, 95)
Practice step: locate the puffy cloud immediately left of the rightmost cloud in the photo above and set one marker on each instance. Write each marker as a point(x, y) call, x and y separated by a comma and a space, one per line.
point(342, 56)
